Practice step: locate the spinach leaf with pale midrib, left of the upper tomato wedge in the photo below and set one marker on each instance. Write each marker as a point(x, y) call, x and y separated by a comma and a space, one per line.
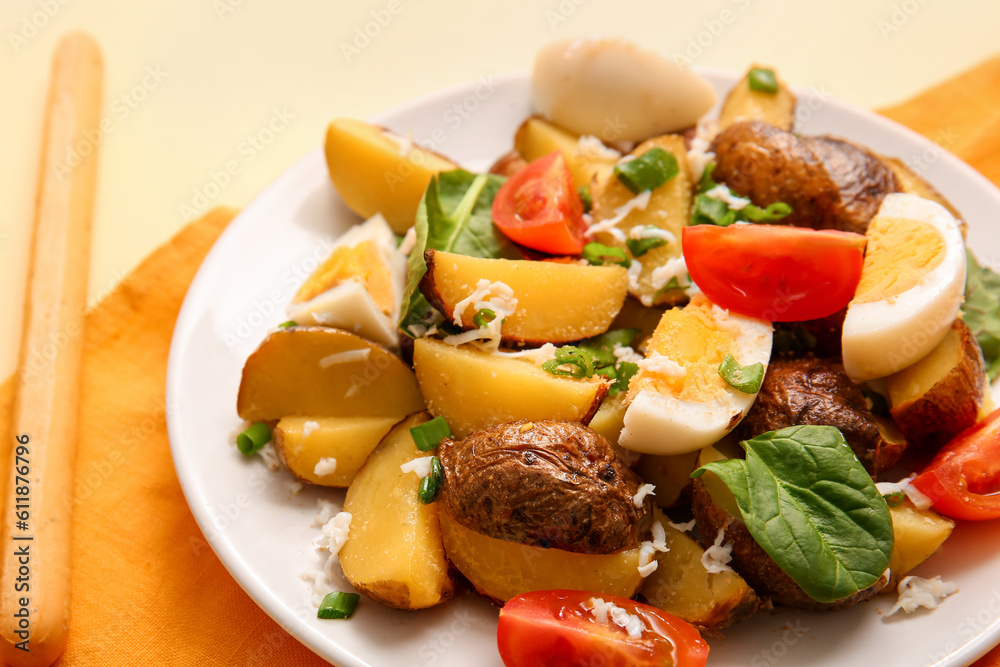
point(455, 215)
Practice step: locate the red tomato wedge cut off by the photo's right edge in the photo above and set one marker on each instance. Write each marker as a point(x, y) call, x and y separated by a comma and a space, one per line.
point(964, 474)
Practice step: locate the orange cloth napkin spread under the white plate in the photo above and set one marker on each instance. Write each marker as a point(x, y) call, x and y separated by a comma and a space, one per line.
point(147, 588)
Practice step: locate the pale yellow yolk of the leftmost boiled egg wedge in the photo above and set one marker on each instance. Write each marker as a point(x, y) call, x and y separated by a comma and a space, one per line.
point(362, 262)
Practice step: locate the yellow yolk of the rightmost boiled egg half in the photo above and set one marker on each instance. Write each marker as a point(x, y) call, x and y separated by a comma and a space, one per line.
point(900, 253)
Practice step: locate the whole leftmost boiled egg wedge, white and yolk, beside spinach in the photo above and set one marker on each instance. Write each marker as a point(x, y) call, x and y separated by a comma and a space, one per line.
point(359, 287)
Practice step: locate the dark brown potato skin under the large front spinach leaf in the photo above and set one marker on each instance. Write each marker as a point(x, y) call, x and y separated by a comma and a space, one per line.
point(755, 565)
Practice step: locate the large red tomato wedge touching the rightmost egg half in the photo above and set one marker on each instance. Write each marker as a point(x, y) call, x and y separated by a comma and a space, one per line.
point(774, 273)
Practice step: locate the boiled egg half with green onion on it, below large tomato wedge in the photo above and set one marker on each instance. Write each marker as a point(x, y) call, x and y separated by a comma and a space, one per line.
point(678, 401)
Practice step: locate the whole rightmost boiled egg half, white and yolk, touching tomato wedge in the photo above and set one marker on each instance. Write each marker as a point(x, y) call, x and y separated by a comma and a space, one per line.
point(912, 286)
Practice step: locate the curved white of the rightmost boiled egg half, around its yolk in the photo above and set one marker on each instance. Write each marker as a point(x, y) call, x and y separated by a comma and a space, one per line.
point(885, 336)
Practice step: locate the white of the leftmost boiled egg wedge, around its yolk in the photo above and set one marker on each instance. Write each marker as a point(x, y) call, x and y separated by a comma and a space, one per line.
point(348, 305)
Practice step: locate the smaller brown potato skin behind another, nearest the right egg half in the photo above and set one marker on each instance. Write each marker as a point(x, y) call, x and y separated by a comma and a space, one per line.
point(862, 178)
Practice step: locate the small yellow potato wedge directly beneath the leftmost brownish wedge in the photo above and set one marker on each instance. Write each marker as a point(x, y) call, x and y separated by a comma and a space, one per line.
point(301, 442)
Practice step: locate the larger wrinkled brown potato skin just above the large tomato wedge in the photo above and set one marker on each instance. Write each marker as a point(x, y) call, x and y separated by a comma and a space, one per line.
point(768, 165)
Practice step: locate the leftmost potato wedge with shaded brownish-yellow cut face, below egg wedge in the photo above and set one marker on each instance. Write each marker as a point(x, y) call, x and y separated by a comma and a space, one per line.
point(323, 372)
